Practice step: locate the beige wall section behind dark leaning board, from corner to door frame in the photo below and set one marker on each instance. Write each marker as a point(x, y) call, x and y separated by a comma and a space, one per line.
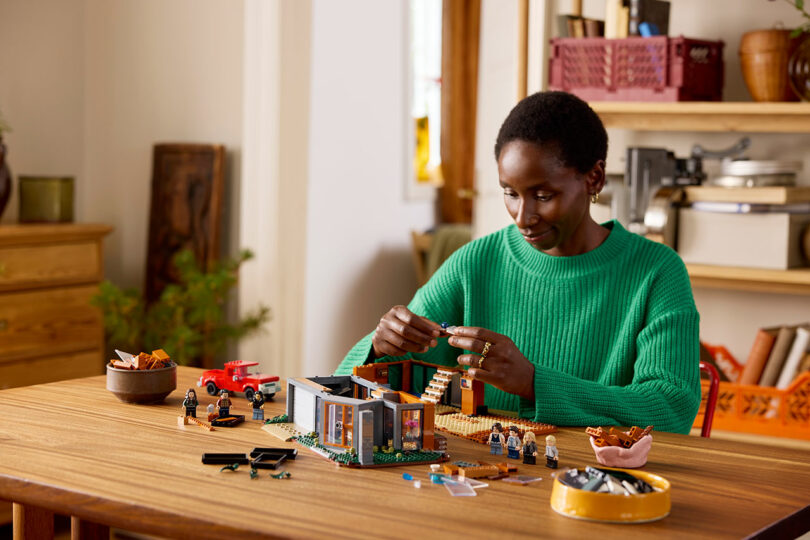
point(155, 71)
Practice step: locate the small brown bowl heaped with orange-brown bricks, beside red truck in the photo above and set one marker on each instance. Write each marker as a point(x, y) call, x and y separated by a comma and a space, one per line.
point(146, 378)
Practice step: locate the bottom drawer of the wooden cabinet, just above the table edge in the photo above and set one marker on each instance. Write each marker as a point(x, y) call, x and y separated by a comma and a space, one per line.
point(45, 369)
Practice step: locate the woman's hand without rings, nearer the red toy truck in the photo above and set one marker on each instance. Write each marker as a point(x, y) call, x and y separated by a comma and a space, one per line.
point(401, 331)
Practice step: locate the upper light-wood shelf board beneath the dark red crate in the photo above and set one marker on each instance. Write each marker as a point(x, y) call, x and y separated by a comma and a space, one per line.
point(748, 117)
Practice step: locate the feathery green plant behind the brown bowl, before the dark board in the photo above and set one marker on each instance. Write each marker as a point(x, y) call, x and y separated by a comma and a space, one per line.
point(187, 321)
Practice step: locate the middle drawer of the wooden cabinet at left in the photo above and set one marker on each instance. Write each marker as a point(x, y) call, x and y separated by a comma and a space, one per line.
point(49, 322)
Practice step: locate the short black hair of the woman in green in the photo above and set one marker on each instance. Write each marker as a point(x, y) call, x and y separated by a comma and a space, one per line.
point(560, 120)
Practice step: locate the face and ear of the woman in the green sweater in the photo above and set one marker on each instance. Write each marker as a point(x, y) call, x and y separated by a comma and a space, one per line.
point(549, 202)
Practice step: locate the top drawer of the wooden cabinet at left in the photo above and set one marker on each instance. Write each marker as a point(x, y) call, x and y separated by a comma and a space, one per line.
point(48, 265)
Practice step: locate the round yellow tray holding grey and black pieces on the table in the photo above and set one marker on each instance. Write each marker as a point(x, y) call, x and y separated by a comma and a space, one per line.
point(589, 505)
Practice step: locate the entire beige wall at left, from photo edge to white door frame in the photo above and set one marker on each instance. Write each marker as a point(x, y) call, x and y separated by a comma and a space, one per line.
point(90, 85)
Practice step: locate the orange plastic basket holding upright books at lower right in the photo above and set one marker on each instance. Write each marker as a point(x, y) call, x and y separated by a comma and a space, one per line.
point(763, 410)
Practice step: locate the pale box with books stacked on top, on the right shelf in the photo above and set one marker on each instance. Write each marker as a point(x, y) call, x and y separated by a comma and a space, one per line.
point(753, 227)
